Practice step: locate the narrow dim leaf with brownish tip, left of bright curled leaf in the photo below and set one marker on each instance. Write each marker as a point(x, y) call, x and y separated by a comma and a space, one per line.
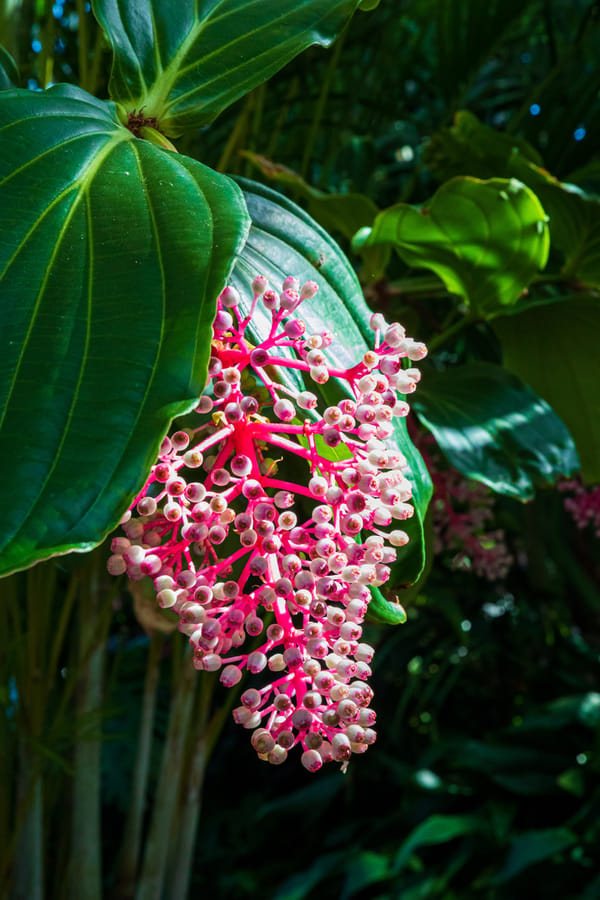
point(343, 214)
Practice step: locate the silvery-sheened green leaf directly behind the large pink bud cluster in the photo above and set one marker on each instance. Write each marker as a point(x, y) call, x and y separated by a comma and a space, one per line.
point(284, 240)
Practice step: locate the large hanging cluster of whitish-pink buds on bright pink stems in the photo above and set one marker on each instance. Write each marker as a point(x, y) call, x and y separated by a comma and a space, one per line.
point(264, 525)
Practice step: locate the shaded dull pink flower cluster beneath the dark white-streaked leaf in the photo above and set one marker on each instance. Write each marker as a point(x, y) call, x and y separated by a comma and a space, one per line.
point(462, 509)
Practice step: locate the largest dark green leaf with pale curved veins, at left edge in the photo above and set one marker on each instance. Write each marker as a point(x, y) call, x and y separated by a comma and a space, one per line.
point(112, 253)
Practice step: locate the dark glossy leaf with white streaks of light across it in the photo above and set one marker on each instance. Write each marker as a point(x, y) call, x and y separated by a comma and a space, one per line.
point(493, 428)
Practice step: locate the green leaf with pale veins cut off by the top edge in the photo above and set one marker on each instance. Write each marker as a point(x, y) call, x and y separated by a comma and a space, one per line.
point(186, 61)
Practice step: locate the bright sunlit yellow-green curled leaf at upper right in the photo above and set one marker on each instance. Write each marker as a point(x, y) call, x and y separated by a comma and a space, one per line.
point(486, 240)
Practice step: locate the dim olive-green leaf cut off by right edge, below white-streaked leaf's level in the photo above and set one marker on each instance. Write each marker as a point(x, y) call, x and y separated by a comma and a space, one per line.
point(554, 349)
